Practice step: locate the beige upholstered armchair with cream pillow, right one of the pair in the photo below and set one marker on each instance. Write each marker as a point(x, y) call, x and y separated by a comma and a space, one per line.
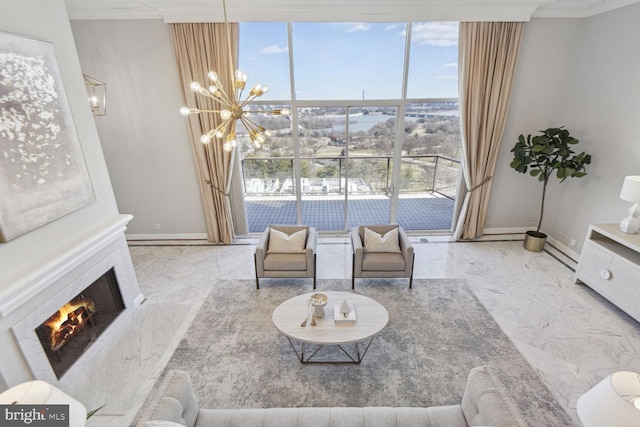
point(381, 251)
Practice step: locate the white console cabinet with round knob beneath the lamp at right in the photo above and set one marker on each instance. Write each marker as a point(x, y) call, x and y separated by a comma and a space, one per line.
point(610, 264)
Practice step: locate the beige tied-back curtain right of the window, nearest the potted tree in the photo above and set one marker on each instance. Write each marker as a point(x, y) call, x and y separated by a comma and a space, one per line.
point(487, 59)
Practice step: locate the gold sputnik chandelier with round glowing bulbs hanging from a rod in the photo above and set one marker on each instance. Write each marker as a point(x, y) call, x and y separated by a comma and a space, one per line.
point(233, 107)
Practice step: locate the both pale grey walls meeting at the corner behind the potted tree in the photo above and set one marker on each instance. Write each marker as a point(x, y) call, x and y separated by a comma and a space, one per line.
point(583, 74)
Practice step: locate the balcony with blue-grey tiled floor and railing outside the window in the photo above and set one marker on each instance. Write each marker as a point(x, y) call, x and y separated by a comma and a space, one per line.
point(426, 201)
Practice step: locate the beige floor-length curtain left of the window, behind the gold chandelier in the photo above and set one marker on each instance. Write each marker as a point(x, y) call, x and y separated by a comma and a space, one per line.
point(200, 48)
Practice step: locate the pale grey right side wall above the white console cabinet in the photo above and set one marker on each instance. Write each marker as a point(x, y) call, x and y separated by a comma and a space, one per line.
point(604, 110)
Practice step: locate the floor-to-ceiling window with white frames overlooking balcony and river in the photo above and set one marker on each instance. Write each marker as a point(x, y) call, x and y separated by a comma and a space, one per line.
point(373, 134)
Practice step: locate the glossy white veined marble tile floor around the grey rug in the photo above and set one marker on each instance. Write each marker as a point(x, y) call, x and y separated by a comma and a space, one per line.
point(570, 335)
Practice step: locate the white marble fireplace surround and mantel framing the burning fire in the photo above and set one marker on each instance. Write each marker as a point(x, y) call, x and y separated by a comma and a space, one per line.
point(71, 272)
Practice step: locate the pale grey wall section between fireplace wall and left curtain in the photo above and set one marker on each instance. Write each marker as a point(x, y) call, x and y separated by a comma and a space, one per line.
point(144, 137)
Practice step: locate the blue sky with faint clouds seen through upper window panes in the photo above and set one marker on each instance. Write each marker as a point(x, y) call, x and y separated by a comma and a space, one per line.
point(344, 60)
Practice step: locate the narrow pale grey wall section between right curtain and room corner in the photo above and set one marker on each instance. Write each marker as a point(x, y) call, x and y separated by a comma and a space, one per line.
point(537, 99)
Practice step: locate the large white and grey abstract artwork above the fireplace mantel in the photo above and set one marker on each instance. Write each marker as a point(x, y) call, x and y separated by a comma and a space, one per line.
point(43, 174)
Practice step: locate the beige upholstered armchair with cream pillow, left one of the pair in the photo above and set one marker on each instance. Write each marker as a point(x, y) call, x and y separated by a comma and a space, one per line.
point(286, 251)
